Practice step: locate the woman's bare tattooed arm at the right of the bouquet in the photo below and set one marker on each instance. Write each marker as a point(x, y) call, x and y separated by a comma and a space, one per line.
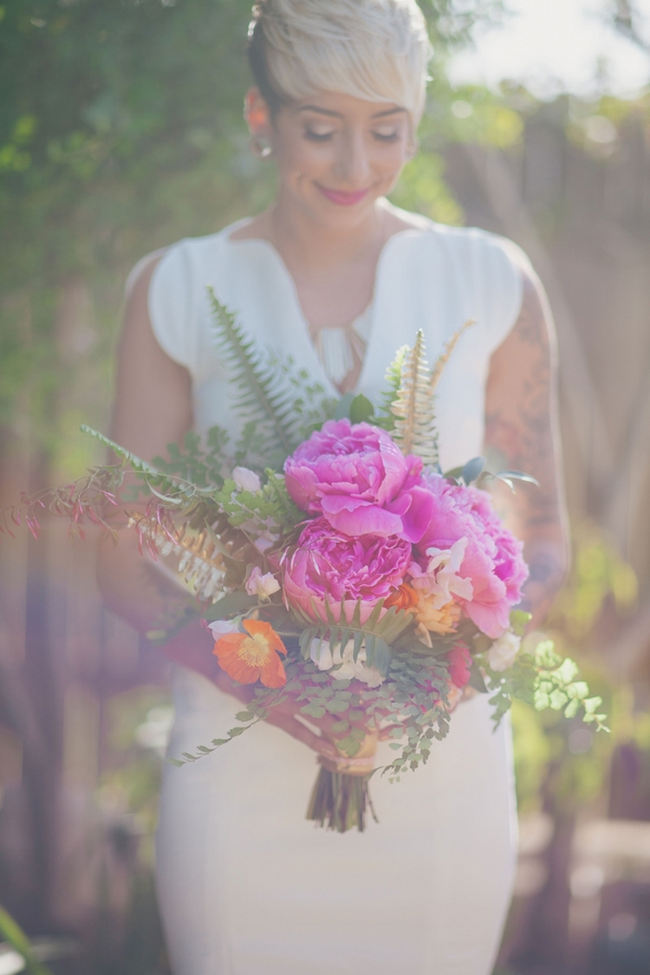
point(521, 433)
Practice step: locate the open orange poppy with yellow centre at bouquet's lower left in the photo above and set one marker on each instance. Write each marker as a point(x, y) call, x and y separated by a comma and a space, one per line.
point(253, 657)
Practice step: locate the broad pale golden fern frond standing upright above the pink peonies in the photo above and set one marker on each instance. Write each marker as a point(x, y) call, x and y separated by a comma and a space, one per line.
point(414, 429)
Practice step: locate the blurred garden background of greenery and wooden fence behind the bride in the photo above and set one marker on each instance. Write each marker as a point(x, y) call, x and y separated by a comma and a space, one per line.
point(120, 131)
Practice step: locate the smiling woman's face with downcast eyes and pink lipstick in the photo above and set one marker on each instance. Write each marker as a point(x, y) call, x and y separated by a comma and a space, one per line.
point(336, 155)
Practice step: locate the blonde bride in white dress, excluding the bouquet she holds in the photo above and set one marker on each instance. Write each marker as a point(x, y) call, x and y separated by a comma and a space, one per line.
point(338, 277)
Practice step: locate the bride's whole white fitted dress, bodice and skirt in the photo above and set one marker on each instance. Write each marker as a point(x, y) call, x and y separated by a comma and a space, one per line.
point(246, 885)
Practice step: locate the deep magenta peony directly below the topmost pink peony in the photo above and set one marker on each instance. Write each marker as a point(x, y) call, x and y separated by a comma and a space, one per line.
point(326, 566)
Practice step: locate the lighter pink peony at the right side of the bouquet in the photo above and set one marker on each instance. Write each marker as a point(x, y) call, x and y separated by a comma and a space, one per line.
point(493, 560)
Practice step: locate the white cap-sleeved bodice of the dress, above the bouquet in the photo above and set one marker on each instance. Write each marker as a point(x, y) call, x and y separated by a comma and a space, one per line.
point(431, 277)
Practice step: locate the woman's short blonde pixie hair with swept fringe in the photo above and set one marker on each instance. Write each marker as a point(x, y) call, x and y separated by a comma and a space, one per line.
point(377, 50)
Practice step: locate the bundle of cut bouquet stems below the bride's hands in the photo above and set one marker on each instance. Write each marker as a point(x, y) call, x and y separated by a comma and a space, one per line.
point(340, 799)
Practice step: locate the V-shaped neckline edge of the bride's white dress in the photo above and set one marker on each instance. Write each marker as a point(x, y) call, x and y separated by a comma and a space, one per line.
point(263, 245)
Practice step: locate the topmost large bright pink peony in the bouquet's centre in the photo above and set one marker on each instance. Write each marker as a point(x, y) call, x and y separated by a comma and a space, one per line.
point(356, 476)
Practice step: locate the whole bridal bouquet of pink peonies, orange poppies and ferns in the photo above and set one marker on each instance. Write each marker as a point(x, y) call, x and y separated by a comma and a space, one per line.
point(338, 568)
